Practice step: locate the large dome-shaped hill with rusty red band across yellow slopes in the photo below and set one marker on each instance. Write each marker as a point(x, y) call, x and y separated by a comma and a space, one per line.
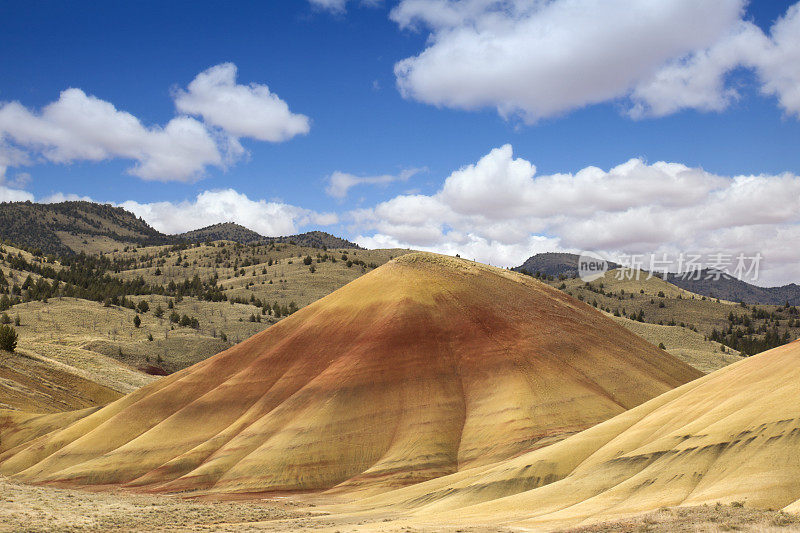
point(423, 367)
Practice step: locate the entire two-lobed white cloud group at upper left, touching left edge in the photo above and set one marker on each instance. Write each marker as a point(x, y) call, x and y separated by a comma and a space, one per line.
point(81, 127)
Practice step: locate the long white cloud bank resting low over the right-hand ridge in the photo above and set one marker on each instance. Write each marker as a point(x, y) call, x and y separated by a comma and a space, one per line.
point(499, 210)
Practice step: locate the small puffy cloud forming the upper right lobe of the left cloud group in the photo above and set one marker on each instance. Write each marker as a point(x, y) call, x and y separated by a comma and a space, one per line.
point(240, 110)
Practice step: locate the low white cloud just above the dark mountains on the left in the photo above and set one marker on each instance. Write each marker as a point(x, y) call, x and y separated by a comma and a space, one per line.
point(269, 218)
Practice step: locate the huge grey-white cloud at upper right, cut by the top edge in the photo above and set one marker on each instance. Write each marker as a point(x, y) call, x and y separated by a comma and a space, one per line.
point(539, 59)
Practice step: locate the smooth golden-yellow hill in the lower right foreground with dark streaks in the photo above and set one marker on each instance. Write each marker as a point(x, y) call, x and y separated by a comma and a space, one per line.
point(731, 436)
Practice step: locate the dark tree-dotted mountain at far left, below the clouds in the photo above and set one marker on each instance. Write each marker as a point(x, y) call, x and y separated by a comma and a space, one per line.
point(65, 228)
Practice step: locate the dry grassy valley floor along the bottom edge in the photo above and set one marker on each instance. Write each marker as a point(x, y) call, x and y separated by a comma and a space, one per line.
point(45, 509)
